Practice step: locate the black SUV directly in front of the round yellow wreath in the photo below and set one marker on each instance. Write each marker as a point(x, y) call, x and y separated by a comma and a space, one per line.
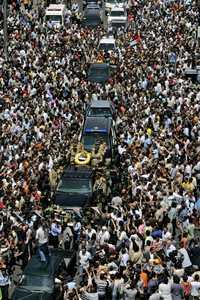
point(75, 188)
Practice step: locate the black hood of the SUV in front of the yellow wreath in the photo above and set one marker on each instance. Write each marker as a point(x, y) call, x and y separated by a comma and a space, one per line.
point(71, 199)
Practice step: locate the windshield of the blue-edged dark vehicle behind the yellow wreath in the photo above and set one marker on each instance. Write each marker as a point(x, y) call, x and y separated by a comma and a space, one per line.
point(90, 139)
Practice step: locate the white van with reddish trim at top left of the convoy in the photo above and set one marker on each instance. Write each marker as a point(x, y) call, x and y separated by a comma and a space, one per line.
point(56, 14)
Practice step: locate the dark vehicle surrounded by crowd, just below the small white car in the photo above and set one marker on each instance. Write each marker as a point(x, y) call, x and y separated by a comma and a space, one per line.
point(99, 72)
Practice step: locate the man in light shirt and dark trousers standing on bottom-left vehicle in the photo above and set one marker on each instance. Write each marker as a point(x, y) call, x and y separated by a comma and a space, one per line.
point(42, 241)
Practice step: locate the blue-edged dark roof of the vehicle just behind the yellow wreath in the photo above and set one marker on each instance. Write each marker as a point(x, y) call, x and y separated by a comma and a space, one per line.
point(97, 124)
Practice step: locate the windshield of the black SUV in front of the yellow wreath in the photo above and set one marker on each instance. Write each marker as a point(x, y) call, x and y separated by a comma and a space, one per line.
point(71, 185)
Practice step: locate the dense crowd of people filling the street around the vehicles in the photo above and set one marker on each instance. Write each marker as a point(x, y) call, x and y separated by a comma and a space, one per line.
point(142, 243)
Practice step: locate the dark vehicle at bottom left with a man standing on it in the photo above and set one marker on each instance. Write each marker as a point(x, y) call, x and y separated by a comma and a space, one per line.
point(38, 281)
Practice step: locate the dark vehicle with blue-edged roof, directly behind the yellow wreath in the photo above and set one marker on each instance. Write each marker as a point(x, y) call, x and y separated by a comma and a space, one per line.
point(98, 130)
